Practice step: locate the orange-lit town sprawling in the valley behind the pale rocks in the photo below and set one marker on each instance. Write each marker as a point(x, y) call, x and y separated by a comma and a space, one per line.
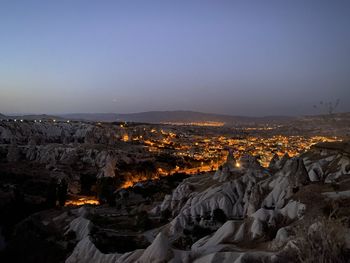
point(205, 148)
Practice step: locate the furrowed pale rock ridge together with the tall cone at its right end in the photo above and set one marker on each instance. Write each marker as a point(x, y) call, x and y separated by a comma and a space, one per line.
point(252, 189)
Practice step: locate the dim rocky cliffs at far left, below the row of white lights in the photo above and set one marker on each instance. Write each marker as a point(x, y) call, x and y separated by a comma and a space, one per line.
point(70, 150)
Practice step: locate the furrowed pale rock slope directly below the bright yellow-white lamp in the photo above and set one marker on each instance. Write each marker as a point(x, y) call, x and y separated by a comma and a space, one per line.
point(199, 196)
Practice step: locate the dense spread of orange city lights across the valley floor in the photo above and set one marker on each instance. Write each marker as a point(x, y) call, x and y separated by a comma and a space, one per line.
point(209, 151)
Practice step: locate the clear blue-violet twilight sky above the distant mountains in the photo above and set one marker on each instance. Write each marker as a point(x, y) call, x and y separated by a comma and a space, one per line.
point(234, 57)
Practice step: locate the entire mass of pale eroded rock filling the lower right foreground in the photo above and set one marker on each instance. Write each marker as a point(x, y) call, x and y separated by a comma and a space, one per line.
point(261, 208)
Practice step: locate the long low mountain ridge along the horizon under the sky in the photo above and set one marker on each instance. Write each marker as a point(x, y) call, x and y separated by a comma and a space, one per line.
point(183, 117)
